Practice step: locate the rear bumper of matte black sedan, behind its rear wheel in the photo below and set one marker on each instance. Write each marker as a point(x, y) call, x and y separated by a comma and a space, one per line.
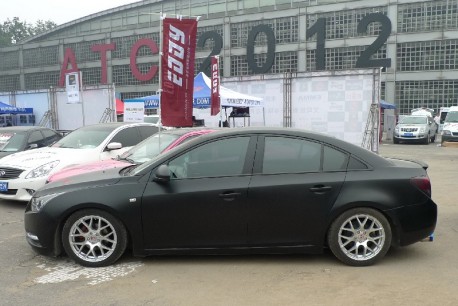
point(414, 223)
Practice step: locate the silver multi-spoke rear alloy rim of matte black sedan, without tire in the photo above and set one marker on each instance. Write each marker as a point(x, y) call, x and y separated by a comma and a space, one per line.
point(361, 237)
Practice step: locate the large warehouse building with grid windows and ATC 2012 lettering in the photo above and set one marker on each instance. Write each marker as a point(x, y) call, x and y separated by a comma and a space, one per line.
point(414, 41)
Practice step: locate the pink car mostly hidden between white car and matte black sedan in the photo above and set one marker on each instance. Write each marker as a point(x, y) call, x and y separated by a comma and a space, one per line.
point(143, 152)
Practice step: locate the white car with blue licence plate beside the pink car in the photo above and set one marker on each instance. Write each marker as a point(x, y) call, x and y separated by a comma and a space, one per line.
point(21, 174)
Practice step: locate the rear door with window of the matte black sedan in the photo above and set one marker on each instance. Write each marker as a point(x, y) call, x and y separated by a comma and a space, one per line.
point(295, 185)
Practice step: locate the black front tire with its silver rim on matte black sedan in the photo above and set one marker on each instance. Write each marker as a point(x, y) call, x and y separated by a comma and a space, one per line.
point(102, 246)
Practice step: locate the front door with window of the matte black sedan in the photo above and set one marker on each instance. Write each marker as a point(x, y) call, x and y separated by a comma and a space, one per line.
point(204, 205)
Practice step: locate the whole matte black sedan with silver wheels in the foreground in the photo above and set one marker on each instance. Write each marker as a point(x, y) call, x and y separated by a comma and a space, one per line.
point(248, 190)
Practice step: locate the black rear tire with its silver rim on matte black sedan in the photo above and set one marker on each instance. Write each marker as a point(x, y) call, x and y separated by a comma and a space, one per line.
point(356, 246)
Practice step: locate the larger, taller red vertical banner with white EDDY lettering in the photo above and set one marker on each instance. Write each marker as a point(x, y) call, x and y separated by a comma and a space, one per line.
point(177, 71)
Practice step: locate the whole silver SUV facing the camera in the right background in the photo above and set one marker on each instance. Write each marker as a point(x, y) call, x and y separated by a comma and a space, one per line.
point(415, 128)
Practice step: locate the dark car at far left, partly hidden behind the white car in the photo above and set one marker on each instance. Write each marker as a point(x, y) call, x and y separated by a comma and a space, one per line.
point(20, 138)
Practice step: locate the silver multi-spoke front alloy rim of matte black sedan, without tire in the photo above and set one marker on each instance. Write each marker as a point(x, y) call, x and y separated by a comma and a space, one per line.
point(92, 238)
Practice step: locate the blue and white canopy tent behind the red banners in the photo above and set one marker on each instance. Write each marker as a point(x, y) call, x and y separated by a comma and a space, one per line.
point(202, 96)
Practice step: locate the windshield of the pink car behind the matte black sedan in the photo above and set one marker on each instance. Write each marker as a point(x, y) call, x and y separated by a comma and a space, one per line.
point(149, 148)
